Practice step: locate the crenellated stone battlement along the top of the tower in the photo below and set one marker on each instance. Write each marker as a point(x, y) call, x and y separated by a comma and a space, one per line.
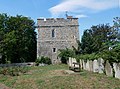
point(69, 21)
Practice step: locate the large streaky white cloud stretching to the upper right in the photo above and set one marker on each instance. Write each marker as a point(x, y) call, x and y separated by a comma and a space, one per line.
point(82, 6)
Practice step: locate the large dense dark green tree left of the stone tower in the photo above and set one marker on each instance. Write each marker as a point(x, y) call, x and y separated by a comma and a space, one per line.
point(18, 42)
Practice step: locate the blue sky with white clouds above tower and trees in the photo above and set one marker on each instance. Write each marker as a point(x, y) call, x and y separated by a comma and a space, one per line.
point(89, 12)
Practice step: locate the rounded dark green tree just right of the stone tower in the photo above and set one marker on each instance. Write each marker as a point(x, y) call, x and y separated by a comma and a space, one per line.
point(97, 38)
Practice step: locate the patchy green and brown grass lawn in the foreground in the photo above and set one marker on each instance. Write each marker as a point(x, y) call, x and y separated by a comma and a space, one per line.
point(56, 77)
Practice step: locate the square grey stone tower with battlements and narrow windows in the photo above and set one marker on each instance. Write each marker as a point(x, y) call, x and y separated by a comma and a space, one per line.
point(55, 34)
